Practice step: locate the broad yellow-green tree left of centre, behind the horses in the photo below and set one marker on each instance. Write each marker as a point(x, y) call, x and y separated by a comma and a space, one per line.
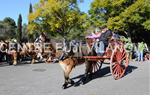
point(58, 17)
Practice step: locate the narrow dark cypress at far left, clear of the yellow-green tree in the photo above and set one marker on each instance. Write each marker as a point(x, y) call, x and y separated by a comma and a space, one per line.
point(19, 28)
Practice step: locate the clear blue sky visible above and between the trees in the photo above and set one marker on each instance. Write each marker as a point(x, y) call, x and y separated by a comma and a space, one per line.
point(12, 8)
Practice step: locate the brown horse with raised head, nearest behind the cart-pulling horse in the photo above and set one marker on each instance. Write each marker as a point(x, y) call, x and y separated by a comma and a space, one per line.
point(47, 54)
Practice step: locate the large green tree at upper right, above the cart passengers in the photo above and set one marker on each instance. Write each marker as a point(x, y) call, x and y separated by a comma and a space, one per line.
point(128, 16)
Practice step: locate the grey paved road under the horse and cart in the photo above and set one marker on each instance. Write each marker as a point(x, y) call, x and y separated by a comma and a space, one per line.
point(46, 79)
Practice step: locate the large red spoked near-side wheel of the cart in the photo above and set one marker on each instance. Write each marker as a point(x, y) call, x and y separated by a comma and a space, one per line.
point(119, 62)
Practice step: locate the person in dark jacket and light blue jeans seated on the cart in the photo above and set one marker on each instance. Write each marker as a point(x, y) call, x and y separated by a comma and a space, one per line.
point(103, 41)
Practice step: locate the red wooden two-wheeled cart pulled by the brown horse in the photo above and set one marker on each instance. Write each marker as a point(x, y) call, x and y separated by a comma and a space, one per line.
point(117, 56)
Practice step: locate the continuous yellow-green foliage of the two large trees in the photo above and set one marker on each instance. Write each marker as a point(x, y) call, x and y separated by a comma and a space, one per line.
point(62, 18)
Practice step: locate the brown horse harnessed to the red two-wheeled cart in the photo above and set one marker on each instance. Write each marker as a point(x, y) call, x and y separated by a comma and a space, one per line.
point(69, 60)
